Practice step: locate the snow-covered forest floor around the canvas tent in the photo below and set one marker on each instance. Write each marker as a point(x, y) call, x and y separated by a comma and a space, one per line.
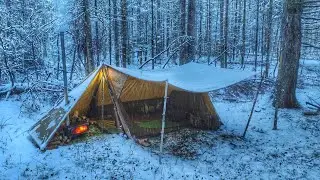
point(292, 152)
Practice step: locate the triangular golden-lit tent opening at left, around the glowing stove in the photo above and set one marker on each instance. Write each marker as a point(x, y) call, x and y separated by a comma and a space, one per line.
point(94, 109)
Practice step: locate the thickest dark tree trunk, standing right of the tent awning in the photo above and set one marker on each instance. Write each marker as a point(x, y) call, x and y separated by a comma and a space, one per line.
point(290, 54)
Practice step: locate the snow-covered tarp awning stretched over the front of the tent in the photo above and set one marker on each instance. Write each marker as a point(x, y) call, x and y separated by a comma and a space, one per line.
point(192, 77)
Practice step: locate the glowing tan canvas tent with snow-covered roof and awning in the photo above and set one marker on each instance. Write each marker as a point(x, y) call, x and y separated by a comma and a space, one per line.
point(135, 99)
